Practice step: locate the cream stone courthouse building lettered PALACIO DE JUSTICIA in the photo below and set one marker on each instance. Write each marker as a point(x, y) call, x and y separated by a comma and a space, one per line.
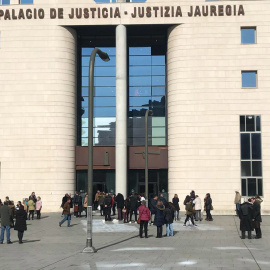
point(201, 67)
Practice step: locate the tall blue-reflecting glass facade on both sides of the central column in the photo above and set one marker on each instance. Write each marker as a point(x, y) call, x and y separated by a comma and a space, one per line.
point(147, 90)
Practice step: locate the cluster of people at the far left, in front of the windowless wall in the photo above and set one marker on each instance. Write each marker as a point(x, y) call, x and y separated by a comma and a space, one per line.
point(20, 213)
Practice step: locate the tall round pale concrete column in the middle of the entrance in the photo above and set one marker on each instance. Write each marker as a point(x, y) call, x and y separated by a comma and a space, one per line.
point(121, 111)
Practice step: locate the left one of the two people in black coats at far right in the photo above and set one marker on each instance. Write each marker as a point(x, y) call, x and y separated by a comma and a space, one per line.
point(245, 215)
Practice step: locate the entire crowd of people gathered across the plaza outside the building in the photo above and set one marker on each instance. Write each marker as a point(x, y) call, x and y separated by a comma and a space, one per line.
point(134, 208)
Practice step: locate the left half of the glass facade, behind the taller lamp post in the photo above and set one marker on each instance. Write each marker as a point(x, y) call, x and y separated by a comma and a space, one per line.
point(104, 98)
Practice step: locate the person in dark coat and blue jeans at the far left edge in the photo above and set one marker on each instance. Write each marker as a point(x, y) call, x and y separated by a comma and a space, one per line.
point(6, 220)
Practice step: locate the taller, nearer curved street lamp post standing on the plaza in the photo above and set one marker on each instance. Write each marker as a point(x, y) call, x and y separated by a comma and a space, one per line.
point(104, 56)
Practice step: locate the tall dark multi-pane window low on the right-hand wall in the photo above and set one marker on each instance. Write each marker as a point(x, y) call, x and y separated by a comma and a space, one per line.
point(251, 155)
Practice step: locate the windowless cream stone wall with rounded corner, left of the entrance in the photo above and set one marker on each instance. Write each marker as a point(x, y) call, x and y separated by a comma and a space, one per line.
point(37, 112)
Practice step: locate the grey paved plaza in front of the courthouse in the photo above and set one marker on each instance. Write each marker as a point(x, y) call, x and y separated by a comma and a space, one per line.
point(211, 245)
